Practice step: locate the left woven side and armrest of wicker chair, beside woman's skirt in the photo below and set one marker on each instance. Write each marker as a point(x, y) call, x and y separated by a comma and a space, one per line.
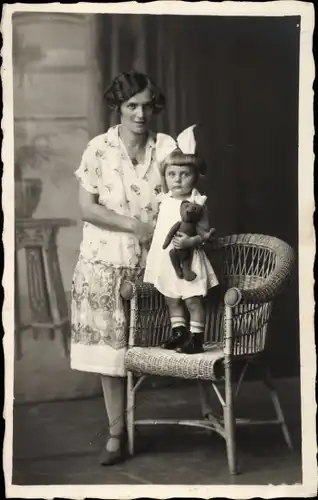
point(149, 321)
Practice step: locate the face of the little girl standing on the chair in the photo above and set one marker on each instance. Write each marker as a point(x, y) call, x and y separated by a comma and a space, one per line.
point(180, 179)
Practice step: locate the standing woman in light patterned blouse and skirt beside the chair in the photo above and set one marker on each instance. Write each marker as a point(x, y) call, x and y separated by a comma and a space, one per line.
point(119, 179)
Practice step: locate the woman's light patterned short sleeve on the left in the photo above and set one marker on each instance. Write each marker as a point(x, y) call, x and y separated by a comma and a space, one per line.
point(88, 171)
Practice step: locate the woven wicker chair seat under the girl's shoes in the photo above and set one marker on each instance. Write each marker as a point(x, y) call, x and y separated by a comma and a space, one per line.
point(158, 361)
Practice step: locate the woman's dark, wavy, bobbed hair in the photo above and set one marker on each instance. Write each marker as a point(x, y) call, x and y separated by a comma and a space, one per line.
point(128, 84)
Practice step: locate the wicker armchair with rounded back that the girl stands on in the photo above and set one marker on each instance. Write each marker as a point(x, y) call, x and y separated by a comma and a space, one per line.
point(252, 270)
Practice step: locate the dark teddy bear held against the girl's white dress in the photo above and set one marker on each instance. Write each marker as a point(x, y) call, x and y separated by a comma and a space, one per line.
point(181, 259)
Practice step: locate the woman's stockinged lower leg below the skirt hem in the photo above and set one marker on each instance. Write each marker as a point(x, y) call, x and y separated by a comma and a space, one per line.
point(114, 390)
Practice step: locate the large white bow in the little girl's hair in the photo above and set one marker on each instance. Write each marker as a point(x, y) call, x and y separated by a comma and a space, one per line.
point(166, 144)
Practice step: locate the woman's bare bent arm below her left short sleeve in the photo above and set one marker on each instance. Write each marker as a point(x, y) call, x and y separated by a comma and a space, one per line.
point(103, 217)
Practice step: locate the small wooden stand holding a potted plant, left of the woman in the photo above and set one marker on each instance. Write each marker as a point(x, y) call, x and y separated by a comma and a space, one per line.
point(46, 293)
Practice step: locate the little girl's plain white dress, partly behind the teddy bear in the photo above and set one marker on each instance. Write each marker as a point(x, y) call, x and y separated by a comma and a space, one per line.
point(159, 270)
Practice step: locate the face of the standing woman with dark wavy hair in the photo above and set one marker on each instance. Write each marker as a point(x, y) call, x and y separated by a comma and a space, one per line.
point(136, 113)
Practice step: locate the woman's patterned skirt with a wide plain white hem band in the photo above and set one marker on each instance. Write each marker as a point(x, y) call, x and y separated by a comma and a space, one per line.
point(99, 323)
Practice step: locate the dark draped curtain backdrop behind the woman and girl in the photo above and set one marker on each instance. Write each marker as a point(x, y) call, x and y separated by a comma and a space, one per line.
point(237, 77)
